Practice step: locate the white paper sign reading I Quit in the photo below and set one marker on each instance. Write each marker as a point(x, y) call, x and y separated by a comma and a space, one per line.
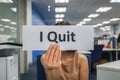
point(68, 37)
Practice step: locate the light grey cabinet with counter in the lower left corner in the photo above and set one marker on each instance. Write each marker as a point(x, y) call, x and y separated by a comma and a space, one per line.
point(9, 61)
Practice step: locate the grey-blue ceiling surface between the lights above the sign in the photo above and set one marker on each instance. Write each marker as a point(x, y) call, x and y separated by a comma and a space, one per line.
point(77, 10)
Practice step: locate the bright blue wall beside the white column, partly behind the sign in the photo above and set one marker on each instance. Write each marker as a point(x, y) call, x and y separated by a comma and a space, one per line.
point(36, 20)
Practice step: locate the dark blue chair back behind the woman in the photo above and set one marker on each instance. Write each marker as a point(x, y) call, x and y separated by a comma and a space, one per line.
point(41, 72)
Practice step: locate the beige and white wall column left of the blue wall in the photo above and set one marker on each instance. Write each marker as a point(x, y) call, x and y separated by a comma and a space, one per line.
point(25, 58)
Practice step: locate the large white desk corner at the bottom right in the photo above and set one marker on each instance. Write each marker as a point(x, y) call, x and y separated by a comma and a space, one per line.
point(109, 71)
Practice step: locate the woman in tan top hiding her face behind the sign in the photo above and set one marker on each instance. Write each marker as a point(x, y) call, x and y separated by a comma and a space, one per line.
point(64, 65)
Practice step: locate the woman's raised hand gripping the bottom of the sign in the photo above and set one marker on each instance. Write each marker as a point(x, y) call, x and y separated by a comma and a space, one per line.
point(52, 58)
